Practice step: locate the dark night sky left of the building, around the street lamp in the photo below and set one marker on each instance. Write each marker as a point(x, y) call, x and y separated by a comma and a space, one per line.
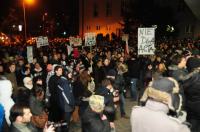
point(35, 12)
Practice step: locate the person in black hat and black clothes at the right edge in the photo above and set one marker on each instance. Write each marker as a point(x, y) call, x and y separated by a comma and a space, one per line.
point(192, 93)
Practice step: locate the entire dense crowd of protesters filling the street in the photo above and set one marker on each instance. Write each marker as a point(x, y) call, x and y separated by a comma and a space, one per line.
point(56, 90)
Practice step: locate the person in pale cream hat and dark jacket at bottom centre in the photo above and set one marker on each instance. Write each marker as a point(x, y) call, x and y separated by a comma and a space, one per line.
point(93, 120)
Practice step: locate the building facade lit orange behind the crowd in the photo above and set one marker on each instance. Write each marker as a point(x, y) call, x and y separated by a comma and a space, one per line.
point(100, 16)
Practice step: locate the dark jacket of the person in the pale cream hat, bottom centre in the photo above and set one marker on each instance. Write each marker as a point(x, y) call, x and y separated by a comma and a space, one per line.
point(92, 122)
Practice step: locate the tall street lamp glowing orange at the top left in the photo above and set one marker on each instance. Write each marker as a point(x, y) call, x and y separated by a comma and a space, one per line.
point(29, 2)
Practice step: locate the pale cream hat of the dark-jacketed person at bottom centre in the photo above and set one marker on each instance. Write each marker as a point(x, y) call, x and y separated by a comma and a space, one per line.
point(96, 103)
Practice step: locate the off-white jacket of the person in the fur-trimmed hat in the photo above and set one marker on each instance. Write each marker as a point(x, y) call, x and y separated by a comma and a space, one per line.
point(153, 118)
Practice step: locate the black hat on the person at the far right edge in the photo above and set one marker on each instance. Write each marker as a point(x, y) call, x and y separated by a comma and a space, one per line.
point(192, 63)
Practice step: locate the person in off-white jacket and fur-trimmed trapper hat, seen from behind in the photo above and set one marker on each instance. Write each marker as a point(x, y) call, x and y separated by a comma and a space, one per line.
point(161, 96)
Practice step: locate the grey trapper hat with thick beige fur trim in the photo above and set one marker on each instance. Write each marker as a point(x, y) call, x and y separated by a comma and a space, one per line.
point(165, 90)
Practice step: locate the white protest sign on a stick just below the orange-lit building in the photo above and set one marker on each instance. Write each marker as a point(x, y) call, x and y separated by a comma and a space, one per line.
point(90, 39)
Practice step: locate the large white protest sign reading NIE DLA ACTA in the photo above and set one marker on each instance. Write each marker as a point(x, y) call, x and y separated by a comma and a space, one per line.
point(146, 41)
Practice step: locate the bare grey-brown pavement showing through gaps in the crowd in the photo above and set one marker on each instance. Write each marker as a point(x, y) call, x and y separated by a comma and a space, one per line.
point(122, 124)
